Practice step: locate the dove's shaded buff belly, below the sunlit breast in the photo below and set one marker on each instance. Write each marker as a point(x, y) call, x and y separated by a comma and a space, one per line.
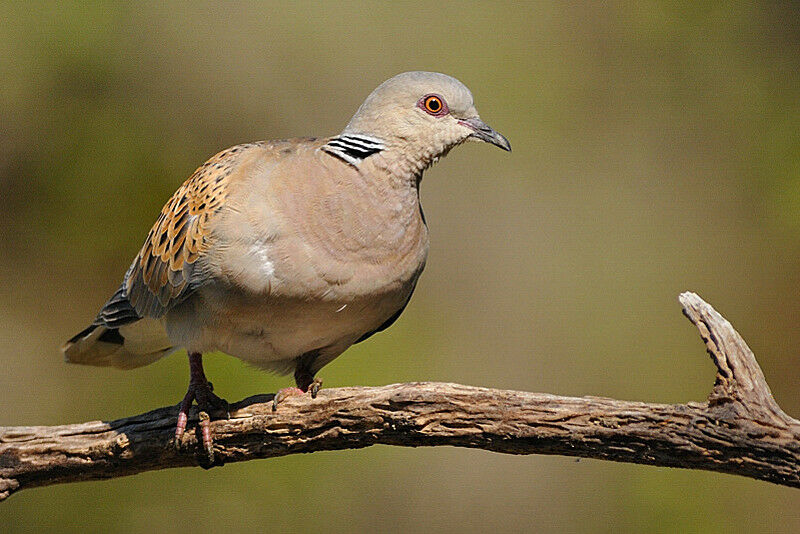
point(270, 331)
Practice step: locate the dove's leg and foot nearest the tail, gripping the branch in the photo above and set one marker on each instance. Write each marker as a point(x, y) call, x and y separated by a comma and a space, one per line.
point(200, 390)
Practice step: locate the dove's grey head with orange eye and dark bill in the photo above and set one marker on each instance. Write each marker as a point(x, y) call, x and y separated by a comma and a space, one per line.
point(423, 114)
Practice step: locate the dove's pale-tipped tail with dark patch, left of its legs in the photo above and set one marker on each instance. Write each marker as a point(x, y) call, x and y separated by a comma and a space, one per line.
point(127, 347)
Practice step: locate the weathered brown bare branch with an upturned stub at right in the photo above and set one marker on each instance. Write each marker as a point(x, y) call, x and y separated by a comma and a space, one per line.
point(739, 430)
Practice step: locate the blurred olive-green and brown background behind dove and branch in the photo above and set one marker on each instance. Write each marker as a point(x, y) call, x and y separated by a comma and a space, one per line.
point(656, 150)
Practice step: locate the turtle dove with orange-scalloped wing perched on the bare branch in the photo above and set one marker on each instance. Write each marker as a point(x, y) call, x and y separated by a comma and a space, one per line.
point(285, 253)
